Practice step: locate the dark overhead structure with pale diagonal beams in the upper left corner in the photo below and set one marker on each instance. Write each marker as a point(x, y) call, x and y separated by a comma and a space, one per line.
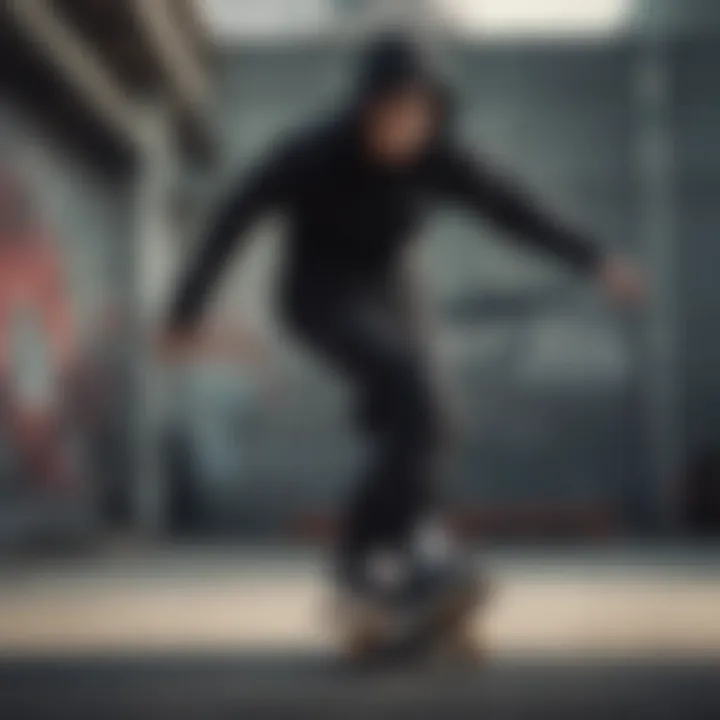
point(85, 69)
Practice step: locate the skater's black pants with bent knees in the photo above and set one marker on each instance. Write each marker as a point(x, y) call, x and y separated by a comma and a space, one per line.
point(371, 344)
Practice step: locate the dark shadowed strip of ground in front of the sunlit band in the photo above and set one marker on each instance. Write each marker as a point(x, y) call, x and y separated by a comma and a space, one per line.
point(302, 685)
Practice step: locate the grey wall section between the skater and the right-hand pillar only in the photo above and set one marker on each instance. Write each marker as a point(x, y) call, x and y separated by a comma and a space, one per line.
point(548, 423)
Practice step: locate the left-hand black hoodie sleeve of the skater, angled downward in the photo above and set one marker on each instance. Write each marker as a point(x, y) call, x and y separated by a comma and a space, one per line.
point(263, 189)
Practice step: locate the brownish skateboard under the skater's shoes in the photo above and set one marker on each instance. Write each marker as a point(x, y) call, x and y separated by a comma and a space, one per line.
point(448, 631)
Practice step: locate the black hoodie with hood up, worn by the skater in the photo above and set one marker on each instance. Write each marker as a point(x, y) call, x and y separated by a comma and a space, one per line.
point(349, 217)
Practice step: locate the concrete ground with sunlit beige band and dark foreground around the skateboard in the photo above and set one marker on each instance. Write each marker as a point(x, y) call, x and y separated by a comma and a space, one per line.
point(202, 631)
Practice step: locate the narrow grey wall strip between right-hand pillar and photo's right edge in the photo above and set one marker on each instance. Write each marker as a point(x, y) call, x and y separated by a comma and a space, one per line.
point(696, 123)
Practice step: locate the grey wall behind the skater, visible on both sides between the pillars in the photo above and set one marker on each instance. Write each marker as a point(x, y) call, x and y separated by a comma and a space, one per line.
point(544, 394)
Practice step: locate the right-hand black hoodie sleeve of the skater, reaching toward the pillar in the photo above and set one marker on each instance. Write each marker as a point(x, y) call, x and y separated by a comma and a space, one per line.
point(459, 177)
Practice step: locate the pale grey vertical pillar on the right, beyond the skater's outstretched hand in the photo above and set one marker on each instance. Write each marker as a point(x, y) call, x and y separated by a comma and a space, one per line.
point(658, 371)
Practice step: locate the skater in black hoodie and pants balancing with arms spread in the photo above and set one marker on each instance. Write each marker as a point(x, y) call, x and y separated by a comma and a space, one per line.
point(354, 191)
